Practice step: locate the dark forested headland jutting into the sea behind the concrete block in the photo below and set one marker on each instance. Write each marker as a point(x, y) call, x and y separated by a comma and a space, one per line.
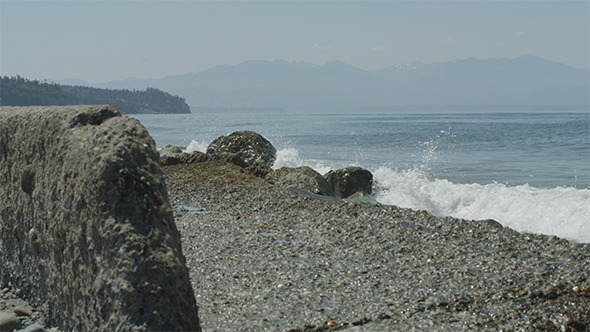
point(19, 91)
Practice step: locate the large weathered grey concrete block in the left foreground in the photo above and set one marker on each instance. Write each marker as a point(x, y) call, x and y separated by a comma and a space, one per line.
point(86, 229)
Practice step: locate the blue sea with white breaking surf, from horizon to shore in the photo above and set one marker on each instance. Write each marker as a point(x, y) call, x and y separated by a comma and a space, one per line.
point(528, 171)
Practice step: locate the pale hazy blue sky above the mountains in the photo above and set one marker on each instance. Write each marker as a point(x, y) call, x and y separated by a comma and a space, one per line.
point(100, 41)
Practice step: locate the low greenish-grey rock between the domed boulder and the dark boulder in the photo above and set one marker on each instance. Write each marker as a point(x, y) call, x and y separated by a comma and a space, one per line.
point(303, 177)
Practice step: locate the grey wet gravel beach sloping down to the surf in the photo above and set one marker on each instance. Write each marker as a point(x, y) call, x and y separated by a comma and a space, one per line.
point(262, 257)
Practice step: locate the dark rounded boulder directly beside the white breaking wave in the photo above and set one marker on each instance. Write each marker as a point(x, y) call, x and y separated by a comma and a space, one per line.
point(347, 181)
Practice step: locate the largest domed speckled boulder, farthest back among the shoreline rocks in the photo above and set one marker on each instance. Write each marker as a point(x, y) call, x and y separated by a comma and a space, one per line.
point(243, 148)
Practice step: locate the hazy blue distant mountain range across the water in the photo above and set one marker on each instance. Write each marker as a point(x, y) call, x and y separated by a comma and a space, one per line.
point(527, 81)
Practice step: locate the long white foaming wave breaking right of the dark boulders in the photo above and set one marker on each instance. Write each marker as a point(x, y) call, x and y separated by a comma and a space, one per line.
point(561, 211)
